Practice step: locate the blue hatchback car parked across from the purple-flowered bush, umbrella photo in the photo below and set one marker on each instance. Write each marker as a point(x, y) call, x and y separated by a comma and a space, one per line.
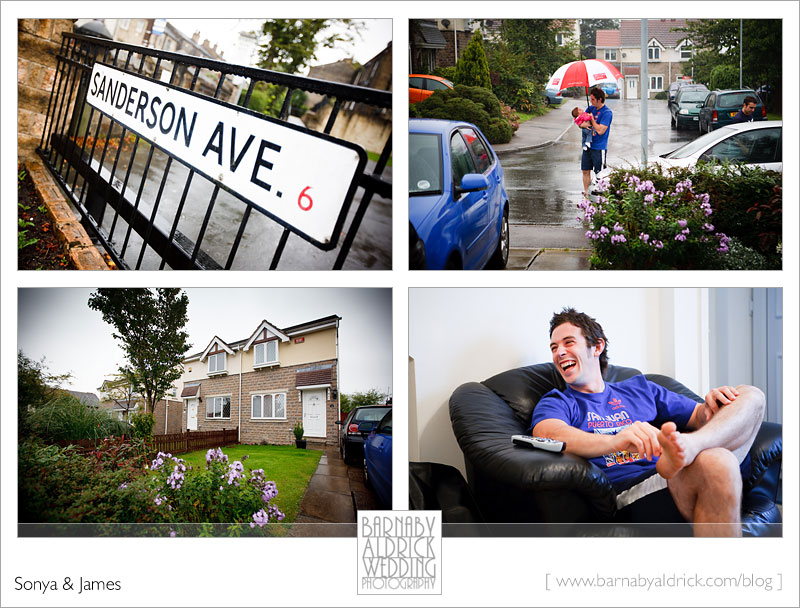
point(458, 206)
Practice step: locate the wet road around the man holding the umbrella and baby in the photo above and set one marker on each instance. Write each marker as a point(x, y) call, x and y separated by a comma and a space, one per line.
point(544, 184)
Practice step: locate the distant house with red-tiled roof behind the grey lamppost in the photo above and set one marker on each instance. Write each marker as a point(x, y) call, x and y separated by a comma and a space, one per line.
point(667, 53)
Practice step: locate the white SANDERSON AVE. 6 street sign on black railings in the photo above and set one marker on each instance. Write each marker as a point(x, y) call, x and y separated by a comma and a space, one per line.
point(303, 179)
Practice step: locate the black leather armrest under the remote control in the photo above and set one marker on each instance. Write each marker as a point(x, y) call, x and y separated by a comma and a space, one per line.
point(483, 424)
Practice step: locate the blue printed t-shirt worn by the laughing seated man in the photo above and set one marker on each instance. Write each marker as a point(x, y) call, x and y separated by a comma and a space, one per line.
point(618, 406)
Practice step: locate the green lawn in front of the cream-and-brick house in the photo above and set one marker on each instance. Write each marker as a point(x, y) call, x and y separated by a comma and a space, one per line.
point(291, 469)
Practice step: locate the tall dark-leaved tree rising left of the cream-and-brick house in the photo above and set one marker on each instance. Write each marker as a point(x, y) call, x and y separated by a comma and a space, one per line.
point(149, 323)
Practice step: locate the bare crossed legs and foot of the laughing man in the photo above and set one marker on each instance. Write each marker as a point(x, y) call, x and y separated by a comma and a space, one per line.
point(702, 467)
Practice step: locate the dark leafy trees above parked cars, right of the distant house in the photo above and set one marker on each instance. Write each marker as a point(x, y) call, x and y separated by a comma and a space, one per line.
point(717, 43)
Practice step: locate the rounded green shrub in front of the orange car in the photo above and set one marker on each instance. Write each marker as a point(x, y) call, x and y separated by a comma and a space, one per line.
point(470, 104)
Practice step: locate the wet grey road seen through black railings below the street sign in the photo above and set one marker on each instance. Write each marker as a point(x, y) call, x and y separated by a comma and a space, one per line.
point(372, 248)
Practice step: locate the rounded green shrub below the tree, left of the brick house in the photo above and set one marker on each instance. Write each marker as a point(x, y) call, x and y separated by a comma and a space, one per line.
point(65, 418)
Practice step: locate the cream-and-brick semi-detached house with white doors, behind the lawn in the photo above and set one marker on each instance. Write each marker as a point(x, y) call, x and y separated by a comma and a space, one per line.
point(266, 383)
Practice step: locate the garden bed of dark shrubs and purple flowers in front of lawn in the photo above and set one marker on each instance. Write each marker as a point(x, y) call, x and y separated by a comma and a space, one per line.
point(115, 483)
